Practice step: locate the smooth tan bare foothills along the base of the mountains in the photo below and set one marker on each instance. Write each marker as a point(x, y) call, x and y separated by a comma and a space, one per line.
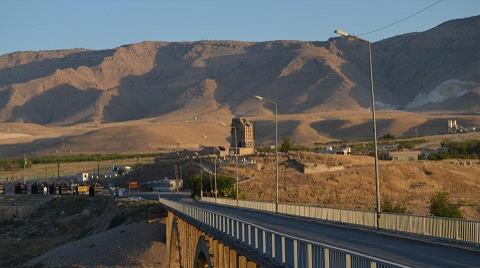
point(153, 135)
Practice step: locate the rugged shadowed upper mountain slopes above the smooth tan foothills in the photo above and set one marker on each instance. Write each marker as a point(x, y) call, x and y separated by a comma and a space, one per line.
point(434, 70)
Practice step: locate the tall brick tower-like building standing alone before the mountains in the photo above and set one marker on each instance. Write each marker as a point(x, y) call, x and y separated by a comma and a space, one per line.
point(242, 138)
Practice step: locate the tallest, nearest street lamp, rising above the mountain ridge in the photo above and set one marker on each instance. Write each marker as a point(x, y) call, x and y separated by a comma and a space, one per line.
point(377, 180)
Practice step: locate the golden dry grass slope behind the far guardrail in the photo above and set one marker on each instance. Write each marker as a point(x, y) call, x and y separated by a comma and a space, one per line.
point(407, 183)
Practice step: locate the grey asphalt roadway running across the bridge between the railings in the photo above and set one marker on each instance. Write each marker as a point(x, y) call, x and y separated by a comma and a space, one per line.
point(407, 251)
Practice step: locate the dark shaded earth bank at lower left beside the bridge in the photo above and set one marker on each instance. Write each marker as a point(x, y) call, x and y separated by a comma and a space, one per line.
point(76, 231)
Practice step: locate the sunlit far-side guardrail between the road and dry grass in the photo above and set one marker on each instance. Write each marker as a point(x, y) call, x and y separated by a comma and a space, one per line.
point(445, 228)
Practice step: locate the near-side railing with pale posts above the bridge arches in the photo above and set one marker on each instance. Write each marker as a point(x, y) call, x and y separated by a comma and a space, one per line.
point(281, 248)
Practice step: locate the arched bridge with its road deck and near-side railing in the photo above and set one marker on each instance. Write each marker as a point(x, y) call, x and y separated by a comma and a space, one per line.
point(202, 234)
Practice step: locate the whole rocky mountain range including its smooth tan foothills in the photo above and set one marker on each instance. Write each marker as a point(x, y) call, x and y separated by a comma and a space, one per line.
point(164, 95)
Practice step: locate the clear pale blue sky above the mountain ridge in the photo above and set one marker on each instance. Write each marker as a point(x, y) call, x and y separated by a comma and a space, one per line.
point(99, 24)
